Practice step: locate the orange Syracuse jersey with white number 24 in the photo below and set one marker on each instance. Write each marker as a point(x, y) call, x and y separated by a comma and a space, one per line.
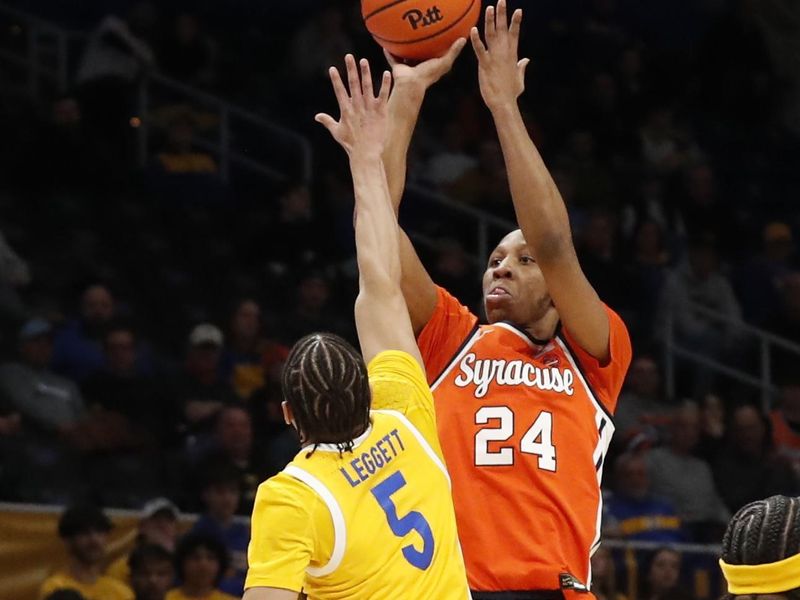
point(525, 426)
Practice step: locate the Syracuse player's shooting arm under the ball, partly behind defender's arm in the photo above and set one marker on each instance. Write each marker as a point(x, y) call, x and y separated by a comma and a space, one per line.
point(410, 85)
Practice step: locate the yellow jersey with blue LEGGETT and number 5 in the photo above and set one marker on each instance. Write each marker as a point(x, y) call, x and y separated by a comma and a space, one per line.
point(377, 523)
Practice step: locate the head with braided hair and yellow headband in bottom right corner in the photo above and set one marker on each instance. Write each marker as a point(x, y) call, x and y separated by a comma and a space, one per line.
point(761, 550)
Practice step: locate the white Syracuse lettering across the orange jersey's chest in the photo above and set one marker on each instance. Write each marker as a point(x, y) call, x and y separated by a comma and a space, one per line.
point(481, 372)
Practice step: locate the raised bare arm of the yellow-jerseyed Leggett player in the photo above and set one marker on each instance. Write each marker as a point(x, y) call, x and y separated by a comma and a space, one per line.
point(381, 313)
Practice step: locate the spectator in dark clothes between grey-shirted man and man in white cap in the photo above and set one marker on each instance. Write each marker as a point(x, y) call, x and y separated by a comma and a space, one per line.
point(119, 388)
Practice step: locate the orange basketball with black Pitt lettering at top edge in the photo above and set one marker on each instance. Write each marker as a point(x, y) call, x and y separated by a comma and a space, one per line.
point(419, 29)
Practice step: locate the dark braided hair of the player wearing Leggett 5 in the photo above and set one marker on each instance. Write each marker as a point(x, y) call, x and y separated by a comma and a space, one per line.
point(325, 383)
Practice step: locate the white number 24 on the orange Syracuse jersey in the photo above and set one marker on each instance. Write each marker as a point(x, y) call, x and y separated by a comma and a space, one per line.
point(538, 440)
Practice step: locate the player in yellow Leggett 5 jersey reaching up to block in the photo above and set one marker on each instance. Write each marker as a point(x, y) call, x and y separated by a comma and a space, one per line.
point(364, 511)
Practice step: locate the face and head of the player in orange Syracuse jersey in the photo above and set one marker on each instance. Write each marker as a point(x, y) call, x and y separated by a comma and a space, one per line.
point(513, 285)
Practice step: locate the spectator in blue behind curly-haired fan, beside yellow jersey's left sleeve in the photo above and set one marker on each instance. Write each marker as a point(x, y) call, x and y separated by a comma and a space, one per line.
point(221, 497)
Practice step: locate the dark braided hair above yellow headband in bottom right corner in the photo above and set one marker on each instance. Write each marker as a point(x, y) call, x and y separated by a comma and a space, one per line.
point(764, 532)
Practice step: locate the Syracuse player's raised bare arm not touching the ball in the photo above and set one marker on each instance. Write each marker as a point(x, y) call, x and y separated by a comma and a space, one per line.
point(540, 210)
